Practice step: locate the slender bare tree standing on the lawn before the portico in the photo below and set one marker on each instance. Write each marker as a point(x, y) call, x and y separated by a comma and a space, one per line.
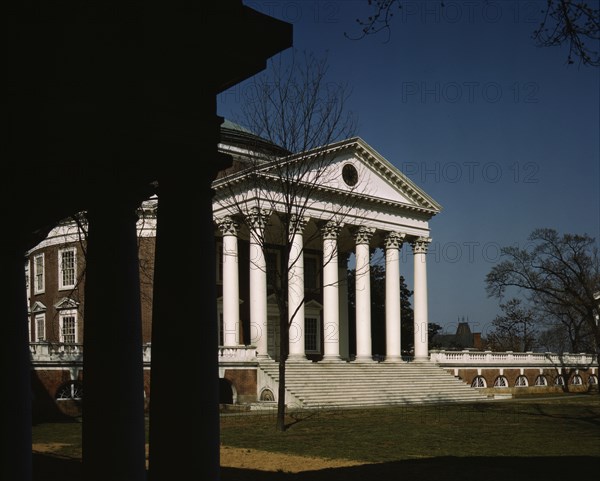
point(294, 114)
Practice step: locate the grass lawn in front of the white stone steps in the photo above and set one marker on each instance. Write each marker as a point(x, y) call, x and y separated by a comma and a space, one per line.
point(543, 438)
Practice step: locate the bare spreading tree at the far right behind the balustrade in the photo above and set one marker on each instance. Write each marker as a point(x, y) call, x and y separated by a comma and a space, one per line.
point(560, 275)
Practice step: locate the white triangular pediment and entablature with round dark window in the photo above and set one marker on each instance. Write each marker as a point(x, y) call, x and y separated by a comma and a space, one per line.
point(347, 181)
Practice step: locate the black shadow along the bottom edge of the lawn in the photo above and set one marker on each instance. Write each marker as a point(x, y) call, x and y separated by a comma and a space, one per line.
point(446, 468)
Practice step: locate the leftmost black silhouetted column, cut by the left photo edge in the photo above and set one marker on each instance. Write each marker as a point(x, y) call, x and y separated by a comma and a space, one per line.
point(15, 415)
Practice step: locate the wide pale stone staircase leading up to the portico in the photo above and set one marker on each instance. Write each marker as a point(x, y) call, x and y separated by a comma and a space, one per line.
point(352, 384)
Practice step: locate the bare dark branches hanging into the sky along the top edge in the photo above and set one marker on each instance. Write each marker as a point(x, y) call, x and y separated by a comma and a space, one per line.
point(563, 22)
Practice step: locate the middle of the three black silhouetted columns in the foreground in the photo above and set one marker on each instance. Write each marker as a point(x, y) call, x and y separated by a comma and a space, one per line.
point(113, 435)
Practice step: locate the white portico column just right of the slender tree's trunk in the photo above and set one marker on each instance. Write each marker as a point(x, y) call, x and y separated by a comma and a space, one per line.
point(296, 290)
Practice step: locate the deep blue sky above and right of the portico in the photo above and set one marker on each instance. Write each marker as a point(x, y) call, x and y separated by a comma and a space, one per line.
point(502, 133)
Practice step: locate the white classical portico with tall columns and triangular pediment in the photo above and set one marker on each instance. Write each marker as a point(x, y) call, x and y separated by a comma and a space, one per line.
point(307, 254)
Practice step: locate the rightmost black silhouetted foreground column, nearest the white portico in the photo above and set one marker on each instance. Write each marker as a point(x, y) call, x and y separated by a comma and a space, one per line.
point(184, 392)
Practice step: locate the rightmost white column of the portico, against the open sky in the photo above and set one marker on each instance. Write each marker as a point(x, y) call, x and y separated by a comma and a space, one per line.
point(421, 320)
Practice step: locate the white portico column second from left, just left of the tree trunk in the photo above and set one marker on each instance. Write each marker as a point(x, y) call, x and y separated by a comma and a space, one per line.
point(258, 281)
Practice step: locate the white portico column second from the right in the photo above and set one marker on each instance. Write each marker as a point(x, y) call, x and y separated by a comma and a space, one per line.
point(393, 242)
